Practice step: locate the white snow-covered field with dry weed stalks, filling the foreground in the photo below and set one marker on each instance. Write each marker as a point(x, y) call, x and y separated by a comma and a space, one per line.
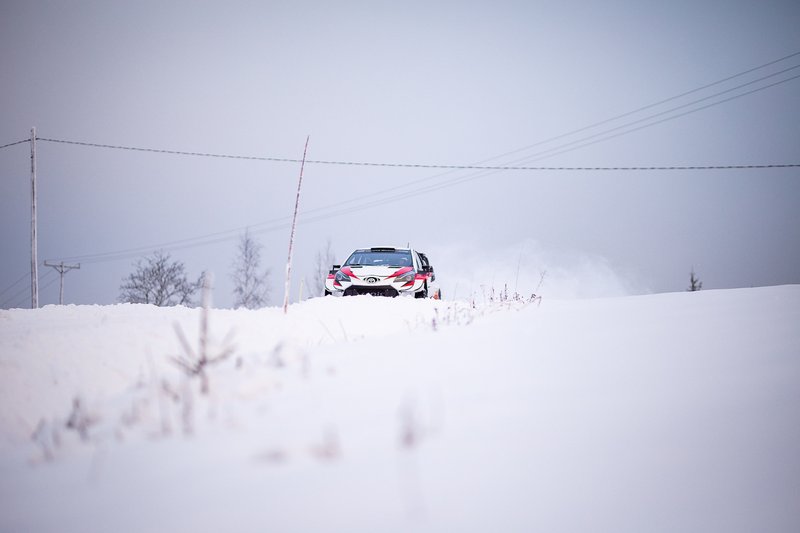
point(672, 412)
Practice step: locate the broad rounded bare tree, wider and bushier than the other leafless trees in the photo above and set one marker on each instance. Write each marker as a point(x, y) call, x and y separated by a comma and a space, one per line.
point(160, 281)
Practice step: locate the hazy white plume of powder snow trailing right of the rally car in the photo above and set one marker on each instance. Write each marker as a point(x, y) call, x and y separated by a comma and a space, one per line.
point(465, 271)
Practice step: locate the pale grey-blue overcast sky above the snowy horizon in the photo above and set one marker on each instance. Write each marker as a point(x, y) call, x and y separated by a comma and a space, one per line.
point(451, 83)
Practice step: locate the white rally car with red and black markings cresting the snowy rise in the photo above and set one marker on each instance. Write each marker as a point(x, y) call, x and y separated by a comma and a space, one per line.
point(383, 271)
